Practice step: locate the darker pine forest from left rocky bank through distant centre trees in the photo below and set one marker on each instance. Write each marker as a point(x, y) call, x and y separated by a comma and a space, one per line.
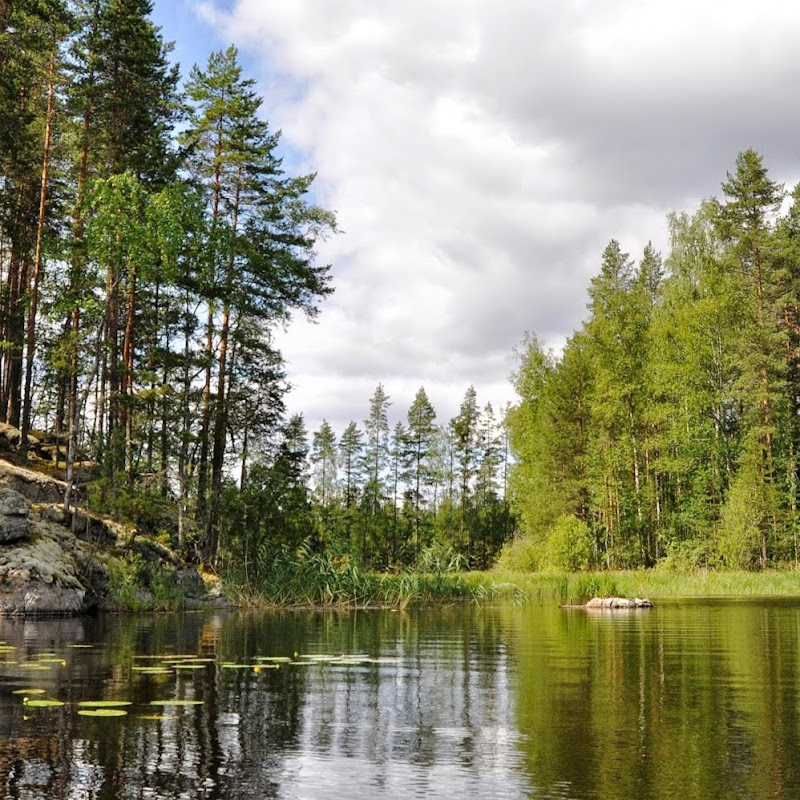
point(151, 244)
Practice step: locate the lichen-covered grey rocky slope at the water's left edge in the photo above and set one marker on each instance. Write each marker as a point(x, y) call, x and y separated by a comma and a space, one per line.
point(57, 563)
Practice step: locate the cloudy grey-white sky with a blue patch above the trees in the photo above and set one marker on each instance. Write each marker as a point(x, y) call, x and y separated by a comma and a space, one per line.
point(480, 154)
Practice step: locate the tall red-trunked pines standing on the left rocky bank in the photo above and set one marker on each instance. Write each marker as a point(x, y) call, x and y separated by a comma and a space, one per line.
point(150, 242)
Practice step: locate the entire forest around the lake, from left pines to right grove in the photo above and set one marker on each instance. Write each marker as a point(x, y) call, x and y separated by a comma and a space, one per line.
point(151, 244)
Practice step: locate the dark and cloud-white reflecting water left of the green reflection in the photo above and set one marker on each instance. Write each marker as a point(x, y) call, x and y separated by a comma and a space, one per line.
point(434, 693)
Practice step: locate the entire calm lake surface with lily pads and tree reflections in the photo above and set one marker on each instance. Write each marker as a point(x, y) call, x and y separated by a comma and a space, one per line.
point(688, 700)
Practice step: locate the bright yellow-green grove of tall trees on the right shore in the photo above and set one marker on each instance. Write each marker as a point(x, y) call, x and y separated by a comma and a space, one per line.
point(669, 428)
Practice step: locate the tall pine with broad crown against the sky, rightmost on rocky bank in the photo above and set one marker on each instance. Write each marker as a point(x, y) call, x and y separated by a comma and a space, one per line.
point(262, 236)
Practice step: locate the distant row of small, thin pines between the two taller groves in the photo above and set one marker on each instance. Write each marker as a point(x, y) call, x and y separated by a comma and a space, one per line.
point(416, 494)
